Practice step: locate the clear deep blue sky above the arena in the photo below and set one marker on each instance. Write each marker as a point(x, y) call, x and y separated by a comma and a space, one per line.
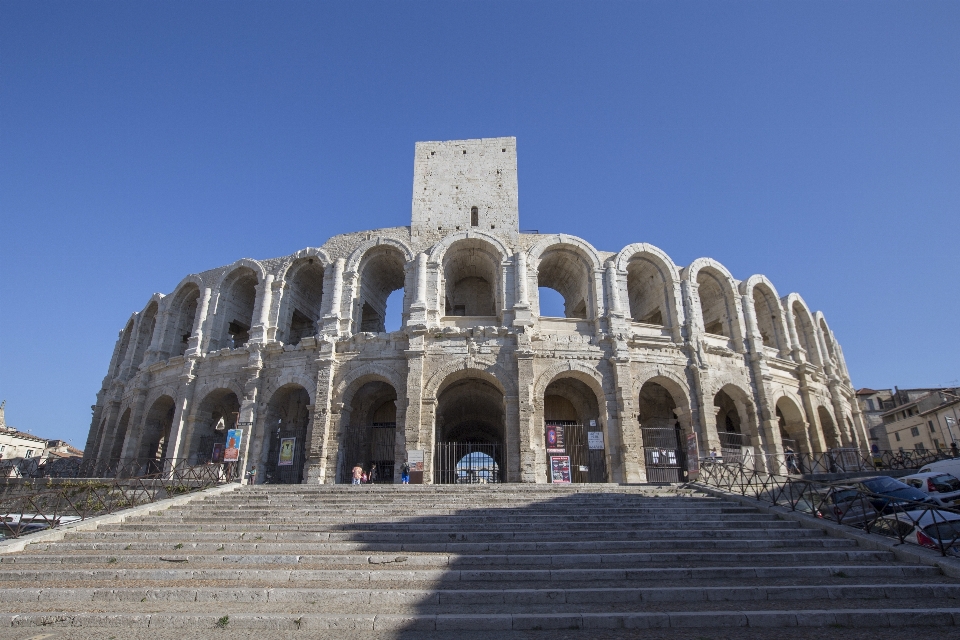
point(816, 143)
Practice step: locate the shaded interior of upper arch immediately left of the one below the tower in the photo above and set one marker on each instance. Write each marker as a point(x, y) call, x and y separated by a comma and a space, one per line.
point(382, 271)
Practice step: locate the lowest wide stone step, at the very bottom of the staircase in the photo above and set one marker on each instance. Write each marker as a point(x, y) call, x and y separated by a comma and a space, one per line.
point(294, 622)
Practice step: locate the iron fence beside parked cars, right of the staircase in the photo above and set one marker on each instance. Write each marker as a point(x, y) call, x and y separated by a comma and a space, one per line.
point(924, 523)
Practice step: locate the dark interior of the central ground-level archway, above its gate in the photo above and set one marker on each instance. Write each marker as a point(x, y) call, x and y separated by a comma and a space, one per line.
point(470, 410)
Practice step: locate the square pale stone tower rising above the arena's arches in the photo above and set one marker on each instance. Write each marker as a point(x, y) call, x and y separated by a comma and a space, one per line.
point(450, 178)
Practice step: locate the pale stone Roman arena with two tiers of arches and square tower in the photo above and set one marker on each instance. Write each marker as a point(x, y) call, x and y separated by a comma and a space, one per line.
point(293, 350)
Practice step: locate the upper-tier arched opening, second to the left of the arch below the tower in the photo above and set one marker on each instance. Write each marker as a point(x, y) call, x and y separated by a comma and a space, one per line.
point(300, 304)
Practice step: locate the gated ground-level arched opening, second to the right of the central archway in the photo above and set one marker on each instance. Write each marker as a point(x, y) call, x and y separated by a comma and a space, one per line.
point(663, 438)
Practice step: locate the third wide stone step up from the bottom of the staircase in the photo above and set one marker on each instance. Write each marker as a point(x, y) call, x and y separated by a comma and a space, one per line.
point(449, 576)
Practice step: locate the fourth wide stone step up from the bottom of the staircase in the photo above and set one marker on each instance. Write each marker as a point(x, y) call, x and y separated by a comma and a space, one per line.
point(622, 560)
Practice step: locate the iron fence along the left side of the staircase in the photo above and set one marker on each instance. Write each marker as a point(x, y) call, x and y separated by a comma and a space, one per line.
point(45, 503)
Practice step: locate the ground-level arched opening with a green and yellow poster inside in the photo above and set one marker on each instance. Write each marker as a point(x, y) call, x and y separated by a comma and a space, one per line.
point(285, 429)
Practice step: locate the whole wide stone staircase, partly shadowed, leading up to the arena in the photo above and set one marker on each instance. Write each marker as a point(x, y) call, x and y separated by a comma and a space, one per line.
point(489, 558)
